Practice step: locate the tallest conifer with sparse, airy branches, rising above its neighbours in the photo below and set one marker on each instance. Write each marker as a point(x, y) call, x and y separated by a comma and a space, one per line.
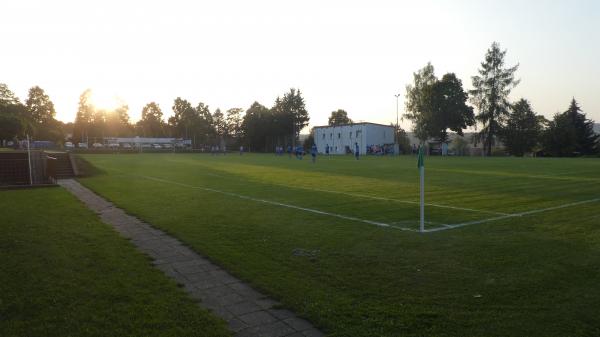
point(490, 94)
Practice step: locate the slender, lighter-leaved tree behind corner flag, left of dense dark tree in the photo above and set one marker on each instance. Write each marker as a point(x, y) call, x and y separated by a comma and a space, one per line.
point(417, 102)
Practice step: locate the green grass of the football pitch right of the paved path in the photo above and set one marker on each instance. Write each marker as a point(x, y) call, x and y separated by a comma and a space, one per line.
point(532, 275)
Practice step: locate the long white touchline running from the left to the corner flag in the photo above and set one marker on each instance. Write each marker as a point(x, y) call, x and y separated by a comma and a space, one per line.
point(345, 217)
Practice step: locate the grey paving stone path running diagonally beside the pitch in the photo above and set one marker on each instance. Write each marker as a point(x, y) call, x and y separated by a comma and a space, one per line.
point(246, 311)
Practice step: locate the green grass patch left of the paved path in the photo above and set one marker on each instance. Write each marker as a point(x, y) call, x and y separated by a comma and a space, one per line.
point(65, 273)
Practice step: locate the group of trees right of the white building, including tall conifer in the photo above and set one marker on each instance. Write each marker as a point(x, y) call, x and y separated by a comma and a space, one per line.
point(436, 106)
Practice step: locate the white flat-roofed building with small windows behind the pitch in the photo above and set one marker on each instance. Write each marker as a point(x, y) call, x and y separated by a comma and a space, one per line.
point(341, 139)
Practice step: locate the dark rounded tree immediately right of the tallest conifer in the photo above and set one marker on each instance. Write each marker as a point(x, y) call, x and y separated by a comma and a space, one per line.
point(522, 129)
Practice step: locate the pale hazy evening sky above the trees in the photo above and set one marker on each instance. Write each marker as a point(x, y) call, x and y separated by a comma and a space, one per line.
point(353, 55)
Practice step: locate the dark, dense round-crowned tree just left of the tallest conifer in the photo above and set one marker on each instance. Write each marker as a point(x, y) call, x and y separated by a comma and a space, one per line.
point(446, 108)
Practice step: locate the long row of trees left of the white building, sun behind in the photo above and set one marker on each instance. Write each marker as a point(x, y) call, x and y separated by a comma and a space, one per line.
point(259, 128)
